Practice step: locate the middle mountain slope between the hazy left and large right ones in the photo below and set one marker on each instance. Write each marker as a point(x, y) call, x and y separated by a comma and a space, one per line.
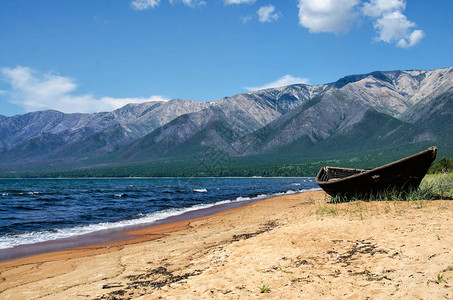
point(218, 125)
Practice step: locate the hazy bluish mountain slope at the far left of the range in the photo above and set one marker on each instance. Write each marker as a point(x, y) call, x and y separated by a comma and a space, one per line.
point(55, 134)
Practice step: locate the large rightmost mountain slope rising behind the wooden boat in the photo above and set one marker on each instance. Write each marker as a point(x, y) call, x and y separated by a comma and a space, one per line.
point(370, 110)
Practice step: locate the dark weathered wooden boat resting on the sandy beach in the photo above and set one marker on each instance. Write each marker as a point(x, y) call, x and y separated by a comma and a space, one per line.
point(403, 175)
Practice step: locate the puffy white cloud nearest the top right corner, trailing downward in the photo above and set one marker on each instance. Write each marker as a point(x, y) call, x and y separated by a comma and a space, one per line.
point(391, 24)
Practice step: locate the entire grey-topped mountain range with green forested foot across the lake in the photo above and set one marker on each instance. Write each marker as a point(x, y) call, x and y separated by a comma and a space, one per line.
point(357, 116)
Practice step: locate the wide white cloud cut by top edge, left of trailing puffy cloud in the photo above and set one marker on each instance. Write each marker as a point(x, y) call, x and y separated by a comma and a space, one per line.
point(332, 16)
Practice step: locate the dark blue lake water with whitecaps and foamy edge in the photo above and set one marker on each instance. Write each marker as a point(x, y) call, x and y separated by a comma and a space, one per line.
point(35, 210)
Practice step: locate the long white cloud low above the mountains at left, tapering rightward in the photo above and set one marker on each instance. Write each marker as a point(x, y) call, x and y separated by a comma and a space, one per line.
point(36, 91)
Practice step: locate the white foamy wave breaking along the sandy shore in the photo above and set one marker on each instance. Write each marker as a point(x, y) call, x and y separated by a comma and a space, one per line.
point(12, 240)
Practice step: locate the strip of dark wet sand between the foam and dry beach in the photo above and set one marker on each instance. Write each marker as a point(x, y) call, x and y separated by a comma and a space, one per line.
point(122, 234)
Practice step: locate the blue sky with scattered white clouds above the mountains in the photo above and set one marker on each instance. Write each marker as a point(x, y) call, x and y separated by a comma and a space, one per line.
point(86, 55)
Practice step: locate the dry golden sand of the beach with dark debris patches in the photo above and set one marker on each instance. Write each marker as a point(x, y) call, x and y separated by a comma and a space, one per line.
point(296, 246)
